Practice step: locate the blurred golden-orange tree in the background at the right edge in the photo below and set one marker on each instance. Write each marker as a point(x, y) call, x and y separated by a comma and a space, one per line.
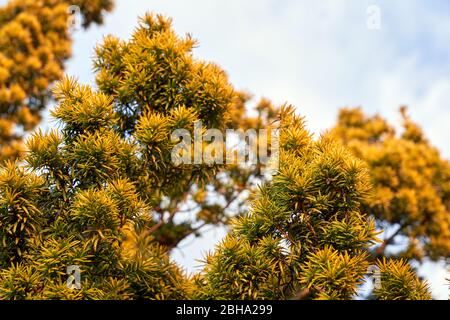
point(411, 182)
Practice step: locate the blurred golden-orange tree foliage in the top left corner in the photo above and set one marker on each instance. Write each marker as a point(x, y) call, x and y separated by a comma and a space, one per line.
point(34, 44)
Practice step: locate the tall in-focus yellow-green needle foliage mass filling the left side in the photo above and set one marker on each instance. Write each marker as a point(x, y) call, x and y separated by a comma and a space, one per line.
point(102, 192)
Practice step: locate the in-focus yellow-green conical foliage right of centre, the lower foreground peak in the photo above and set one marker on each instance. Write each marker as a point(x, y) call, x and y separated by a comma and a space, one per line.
point(305, 235)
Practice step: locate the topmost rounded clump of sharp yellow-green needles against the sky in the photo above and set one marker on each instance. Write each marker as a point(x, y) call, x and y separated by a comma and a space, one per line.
point(155, 71)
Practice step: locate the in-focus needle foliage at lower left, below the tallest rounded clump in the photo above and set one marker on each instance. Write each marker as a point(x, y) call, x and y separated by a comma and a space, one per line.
point(84, 197)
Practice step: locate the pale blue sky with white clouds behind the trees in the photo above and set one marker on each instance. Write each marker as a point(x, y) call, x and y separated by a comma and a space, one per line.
point(318, 56)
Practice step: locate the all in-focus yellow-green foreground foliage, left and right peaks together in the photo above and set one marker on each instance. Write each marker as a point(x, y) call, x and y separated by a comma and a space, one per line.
point(101, 192)
